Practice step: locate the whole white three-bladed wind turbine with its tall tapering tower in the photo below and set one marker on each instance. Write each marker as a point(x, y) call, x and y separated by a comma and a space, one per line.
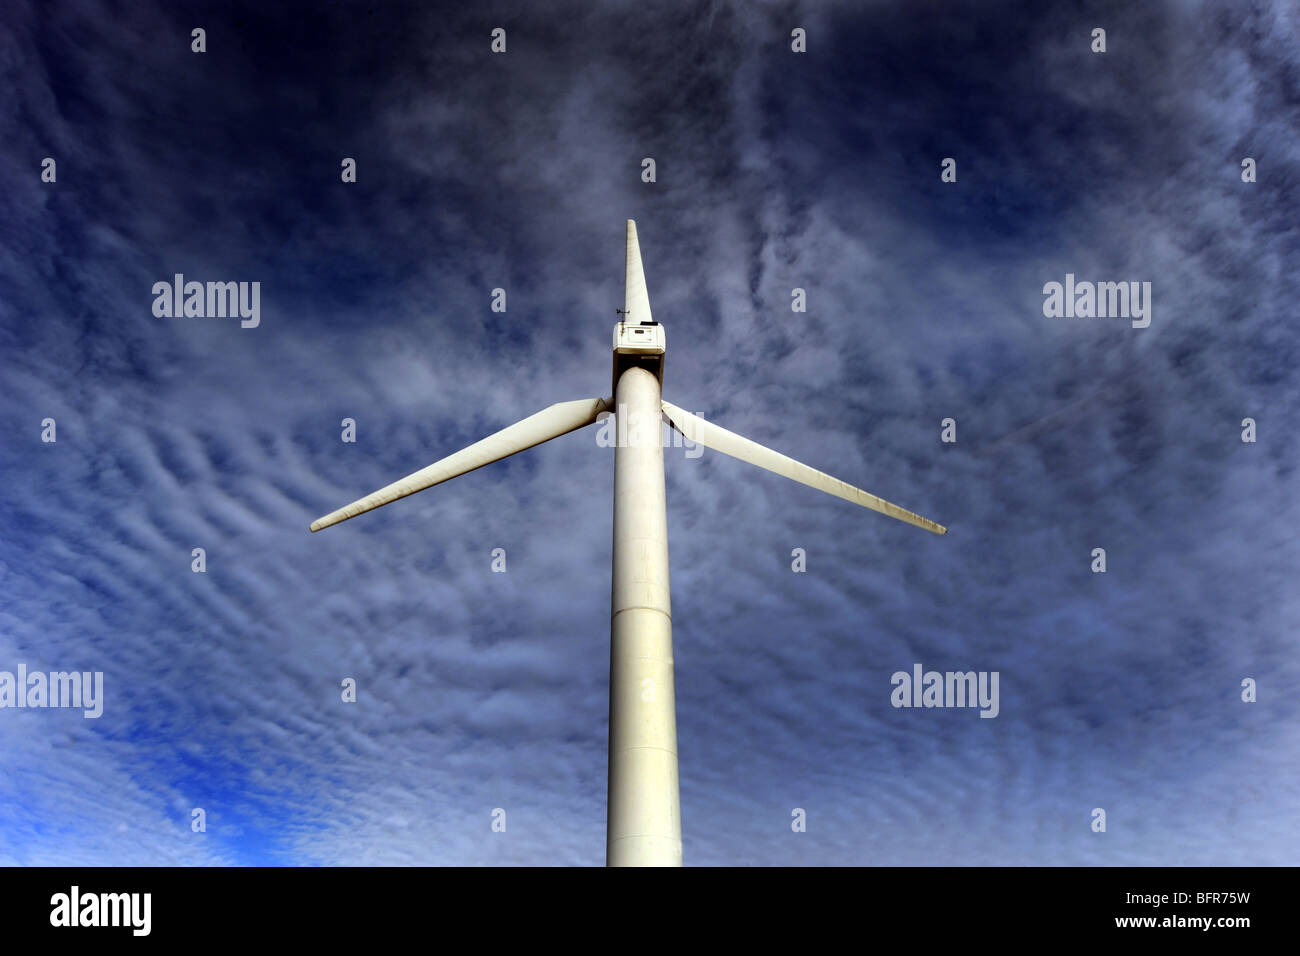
point(644, 814)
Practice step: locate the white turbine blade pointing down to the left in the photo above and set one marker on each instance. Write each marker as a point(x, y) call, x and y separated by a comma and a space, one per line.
point(549, 423)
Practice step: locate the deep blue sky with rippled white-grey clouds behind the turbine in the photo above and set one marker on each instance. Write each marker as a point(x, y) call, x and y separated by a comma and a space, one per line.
point(774, 171)
